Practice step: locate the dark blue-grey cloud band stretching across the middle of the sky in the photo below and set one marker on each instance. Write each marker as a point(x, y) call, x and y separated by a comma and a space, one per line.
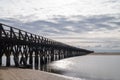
point(82, 25)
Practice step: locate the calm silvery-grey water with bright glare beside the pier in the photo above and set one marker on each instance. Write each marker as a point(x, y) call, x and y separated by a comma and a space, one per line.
point(90, 67)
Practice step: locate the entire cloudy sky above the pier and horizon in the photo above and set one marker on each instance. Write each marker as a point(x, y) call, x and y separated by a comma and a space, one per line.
point(89, 24)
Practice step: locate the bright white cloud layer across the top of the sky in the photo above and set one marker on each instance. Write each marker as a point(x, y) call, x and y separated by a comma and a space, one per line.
point(45, 9)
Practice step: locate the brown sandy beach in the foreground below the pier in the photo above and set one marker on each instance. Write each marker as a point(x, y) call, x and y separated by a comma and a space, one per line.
point(28, 74)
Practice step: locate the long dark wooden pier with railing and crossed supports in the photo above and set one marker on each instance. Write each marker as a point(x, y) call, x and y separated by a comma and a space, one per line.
point(24, 46)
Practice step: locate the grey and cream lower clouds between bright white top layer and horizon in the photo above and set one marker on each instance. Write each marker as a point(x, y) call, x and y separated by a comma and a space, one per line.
point(98, 32)
